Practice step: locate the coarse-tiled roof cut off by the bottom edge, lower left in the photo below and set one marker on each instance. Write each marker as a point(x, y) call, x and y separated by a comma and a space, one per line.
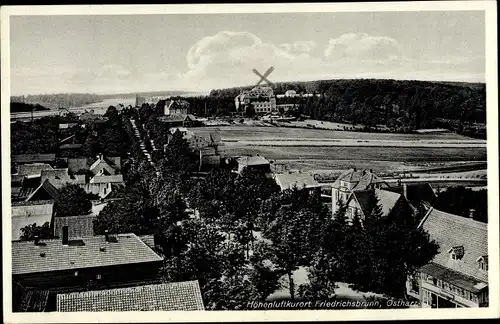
point(174, 296)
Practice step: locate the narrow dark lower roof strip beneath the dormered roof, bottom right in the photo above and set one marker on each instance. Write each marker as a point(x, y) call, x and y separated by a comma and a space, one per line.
point(453, 277)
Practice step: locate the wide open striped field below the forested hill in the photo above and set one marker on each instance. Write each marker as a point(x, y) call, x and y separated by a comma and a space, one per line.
point(294, 149)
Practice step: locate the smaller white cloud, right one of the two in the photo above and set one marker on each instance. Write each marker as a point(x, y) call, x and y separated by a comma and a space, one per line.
point(363, 47)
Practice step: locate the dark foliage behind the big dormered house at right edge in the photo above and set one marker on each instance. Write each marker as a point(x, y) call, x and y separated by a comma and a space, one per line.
point(463, 201)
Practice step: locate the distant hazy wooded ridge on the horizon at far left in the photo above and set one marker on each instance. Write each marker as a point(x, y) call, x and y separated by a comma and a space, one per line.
point(59, 100)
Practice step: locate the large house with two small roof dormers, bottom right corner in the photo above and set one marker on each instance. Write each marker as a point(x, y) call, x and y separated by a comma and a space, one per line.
point(458, 274)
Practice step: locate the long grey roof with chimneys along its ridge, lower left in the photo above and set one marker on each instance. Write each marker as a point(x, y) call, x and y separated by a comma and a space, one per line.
point(129, 249)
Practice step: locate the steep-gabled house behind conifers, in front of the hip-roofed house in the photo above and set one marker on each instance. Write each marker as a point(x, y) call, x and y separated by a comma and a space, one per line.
point(390, 203)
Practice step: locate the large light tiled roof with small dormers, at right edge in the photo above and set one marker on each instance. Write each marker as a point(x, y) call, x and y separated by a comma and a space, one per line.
point(451, 231)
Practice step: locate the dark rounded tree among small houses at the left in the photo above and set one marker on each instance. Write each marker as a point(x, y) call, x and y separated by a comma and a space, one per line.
point(72, 201)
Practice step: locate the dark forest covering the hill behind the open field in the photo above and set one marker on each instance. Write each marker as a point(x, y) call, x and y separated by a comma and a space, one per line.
point(399, 105)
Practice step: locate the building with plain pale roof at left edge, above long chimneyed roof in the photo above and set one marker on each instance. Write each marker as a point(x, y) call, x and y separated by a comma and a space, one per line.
point(28, 213)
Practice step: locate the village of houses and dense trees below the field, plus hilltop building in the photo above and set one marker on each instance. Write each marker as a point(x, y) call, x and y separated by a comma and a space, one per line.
point(167, 220)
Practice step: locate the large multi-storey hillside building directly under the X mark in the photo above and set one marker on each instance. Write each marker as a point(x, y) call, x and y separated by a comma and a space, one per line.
point(260, 98)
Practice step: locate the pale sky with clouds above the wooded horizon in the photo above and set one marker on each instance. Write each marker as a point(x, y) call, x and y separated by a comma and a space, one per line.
point(200, 52)
